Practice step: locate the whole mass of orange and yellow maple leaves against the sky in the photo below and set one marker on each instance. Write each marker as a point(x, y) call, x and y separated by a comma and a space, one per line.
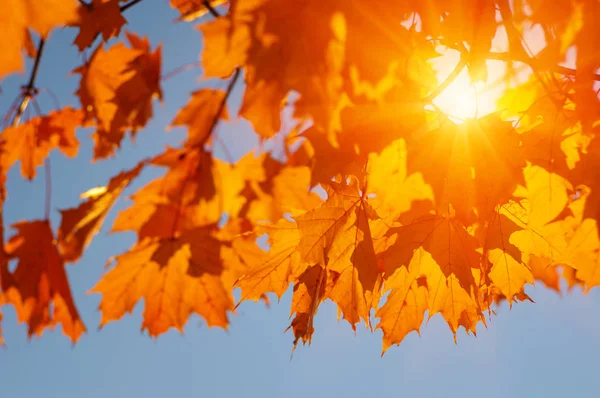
point(381, 203)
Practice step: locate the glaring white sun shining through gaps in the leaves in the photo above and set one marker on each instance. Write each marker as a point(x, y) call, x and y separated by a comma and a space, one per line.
point(462, 99)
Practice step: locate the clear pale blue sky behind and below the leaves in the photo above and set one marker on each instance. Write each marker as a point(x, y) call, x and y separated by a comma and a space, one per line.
point(547, 349)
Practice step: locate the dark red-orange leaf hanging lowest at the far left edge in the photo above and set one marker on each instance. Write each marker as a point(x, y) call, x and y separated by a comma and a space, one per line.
point(39, 288)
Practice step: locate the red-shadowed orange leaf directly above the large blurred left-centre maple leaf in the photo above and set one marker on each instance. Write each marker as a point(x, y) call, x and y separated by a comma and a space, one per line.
point(195, 191)
